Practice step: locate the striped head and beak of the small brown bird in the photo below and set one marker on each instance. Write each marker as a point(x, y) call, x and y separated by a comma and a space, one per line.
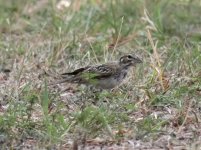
point(129, 60)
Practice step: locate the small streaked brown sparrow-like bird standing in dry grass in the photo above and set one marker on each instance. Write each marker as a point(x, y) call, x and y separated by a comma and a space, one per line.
point(102, 76)
